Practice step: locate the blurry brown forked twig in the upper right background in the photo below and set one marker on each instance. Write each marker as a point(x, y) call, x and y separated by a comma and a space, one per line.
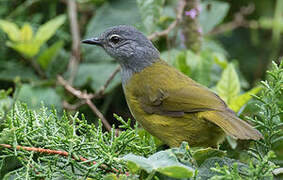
point(238, 21)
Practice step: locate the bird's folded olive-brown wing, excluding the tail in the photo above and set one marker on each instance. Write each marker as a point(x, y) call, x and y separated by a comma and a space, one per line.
point(177, 101)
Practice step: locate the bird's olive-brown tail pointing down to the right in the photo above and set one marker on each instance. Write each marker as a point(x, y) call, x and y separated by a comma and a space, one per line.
point(232, 125)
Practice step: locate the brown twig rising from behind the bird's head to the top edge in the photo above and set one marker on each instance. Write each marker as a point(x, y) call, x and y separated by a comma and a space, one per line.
point(165, 32)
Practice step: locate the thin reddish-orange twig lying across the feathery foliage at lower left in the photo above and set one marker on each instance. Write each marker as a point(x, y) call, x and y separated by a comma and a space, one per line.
point(50, 151)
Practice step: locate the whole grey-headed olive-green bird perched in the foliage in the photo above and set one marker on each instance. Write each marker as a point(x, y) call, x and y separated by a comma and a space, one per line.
point(168, 104)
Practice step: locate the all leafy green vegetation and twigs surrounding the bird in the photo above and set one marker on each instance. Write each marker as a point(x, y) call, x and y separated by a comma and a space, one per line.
point(54, 90)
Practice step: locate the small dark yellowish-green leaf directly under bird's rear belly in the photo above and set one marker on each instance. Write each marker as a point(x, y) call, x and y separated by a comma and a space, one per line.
point(200, 155)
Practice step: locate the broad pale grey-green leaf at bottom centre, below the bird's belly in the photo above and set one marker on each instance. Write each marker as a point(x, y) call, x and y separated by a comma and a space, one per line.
point(163, 162)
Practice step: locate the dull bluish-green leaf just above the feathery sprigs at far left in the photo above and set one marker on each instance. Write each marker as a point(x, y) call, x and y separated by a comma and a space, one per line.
point(34, 96)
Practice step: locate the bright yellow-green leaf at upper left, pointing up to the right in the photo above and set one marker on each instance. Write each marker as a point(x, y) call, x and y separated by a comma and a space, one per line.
point(47, 30)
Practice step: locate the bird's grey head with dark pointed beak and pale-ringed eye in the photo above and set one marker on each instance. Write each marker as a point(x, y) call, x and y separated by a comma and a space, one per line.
point(128, 46)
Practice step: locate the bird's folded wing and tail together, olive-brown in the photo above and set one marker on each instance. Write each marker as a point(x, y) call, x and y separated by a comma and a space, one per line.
point(197, 99)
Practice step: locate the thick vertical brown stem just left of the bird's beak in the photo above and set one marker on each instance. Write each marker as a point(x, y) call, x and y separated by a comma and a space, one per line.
point(75, 56)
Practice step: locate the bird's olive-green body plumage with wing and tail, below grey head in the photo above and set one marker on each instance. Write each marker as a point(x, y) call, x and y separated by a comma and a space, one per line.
point(174, 108)
